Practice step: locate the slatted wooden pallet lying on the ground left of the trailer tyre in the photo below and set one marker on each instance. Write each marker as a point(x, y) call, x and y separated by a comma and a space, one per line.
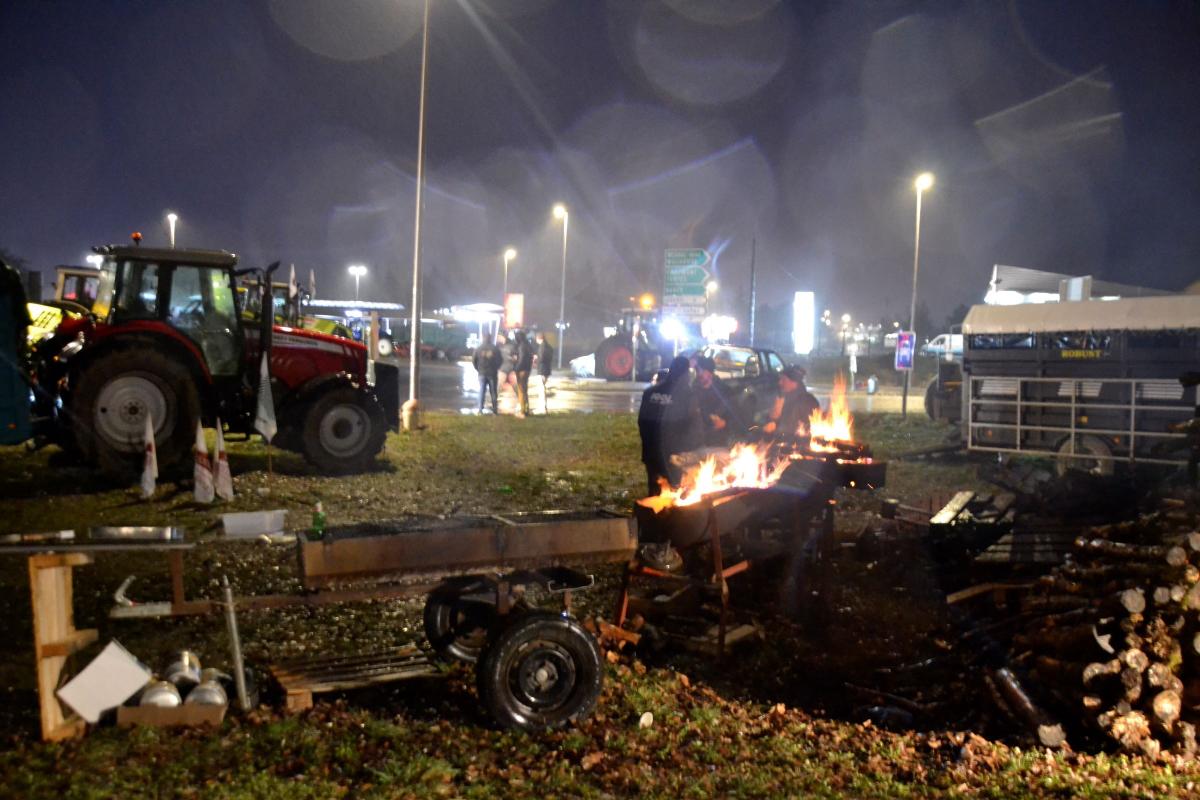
point(303, 678)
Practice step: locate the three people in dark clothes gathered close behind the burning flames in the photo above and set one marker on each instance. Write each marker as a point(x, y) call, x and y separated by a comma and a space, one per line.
point(680, 414)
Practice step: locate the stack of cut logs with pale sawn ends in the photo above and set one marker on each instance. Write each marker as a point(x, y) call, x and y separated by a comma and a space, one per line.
point(1113, 641)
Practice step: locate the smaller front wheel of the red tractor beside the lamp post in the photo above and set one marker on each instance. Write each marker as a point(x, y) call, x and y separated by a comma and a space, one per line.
point(344, 431)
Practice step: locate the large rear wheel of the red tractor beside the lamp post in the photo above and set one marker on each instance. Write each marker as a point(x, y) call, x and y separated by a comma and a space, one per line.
point(116, 395)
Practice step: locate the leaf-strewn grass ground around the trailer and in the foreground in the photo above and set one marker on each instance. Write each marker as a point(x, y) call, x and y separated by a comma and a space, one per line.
point(737, 730)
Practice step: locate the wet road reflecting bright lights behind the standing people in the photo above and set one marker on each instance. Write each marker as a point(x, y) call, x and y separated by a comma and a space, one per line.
point(455, 388)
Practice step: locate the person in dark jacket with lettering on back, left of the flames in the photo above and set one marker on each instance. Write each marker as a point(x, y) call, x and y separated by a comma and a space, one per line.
point(668, 423)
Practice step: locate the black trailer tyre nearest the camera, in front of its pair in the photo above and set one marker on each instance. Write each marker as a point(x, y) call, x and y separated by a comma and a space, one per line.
point(543, 671)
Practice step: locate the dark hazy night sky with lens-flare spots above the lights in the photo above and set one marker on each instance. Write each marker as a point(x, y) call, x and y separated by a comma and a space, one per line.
point(1063, 136)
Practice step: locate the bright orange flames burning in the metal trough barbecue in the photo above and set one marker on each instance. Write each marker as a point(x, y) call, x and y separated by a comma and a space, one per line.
point(761, 466)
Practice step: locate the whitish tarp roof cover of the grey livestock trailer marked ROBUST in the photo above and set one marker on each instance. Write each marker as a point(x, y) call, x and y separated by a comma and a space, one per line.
point(1172, 312)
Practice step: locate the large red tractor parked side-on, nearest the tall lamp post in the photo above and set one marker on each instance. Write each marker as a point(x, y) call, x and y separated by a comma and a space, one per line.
point(166, 339)
